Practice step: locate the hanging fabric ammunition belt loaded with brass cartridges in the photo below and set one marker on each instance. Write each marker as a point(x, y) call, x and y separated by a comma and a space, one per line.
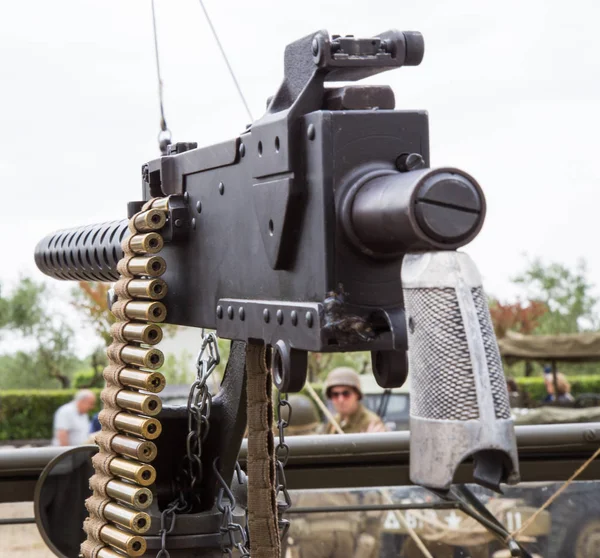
point(123, 474)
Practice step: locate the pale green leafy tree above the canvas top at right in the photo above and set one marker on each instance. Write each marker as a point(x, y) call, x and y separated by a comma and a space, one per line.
point(566, 293)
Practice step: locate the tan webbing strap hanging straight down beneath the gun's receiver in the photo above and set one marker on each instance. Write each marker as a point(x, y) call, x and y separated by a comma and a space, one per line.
point(262, 497)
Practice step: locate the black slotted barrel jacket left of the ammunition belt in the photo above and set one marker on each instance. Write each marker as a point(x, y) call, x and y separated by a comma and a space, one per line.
point(87, 253)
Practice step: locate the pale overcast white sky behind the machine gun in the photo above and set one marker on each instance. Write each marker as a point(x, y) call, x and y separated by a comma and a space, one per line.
point(512, 89)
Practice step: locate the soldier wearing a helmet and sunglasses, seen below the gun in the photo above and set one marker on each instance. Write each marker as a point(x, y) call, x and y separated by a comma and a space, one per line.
point(342, 387)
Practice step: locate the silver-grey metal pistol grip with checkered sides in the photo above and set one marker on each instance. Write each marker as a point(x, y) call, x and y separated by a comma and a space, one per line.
point(459, 402)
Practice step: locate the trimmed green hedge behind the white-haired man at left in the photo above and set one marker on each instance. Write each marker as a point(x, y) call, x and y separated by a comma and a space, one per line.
point(28, 414)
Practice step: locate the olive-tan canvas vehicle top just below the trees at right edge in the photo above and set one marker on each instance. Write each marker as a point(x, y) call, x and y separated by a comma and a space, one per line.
point(575, 347)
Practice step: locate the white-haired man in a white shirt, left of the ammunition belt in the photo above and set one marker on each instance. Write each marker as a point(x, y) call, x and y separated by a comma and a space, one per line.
point(71, 421)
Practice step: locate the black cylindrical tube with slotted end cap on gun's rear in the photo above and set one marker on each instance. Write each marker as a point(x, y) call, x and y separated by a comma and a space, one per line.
point(386, 213)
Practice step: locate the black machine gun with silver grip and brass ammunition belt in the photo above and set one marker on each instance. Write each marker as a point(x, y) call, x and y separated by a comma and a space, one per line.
point(320, 228)
